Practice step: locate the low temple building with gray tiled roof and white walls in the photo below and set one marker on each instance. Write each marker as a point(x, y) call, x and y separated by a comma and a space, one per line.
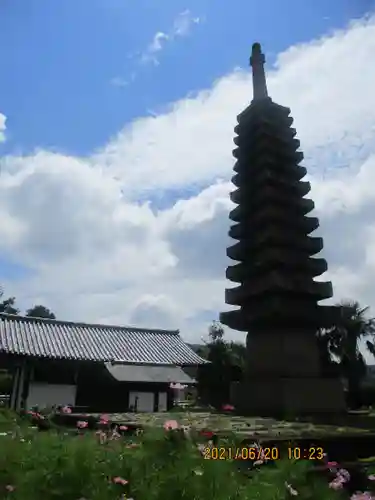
point(98, 368)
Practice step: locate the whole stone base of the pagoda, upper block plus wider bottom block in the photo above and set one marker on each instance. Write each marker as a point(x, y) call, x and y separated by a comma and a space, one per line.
point(284, 376)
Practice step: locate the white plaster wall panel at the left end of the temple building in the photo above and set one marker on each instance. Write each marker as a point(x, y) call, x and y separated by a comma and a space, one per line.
point(46, 395)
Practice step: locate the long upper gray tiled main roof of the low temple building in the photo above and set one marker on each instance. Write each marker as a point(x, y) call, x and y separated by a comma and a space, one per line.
point(80, 341)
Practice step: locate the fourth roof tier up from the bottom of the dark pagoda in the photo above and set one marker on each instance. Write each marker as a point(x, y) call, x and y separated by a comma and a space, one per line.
point(254, 248)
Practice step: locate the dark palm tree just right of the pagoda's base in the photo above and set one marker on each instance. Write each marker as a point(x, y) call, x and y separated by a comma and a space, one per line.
point(343, 340)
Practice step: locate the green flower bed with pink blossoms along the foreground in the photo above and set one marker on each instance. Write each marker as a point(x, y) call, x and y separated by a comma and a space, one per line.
point(158, 464)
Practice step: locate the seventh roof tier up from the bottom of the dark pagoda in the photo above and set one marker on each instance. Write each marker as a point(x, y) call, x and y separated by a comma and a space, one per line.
point(296, 189)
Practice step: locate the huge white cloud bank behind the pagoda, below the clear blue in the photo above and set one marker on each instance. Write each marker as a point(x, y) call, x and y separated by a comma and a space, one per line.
point(99, 254)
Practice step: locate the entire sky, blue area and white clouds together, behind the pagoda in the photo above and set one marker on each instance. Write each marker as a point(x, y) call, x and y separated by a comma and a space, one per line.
point(116, 164)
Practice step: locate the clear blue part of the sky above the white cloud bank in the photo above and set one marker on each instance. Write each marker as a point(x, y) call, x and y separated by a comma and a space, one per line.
point(59, 59)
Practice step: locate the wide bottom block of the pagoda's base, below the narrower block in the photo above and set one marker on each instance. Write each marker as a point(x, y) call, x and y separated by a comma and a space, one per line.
point(289, 396)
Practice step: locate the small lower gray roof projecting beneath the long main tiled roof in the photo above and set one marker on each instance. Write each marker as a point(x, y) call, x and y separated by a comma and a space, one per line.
point(146, 373)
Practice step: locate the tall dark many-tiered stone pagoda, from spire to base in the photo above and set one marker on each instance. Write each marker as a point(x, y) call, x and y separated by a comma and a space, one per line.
point(277, 295)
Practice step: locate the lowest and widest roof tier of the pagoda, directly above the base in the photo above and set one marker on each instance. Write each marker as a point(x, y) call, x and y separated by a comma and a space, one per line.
point(281, 313)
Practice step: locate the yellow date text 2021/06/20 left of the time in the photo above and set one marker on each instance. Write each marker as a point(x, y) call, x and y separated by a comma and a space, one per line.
point(244, 453)
